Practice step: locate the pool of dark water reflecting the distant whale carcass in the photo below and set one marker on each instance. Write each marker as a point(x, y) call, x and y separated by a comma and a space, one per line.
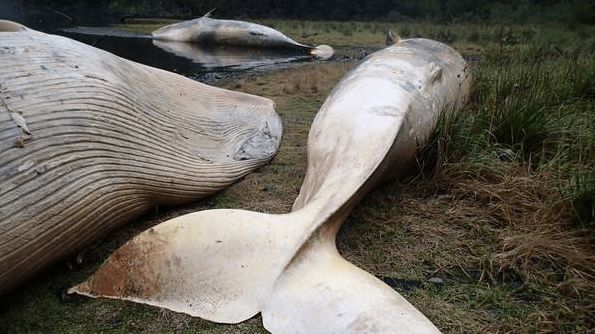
point(203, 63)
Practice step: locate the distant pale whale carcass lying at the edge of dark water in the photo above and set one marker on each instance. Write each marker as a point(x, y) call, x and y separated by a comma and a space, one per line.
point(206, 30)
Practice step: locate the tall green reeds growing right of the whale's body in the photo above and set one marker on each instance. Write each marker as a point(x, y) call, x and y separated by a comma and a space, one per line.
point(533, 105)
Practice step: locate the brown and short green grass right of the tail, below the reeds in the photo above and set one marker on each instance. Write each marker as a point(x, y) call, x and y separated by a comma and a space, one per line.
point(505, 250)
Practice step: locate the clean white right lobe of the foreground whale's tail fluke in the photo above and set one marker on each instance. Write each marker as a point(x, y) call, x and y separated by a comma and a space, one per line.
point(321, 292)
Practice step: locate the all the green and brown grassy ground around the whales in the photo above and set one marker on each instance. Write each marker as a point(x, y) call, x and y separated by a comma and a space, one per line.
point(494, 233)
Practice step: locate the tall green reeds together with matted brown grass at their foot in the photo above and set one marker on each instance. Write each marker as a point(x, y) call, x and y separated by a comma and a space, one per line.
point(525, 147)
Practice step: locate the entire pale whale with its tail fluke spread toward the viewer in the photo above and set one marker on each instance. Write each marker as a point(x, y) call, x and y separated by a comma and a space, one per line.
point(227, 265)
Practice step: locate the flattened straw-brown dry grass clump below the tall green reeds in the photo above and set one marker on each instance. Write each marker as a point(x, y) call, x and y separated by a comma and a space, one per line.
point(537, 237)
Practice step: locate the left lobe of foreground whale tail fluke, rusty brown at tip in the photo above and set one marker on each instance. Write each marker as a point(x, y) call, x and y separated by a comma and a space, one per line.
point(219, 265)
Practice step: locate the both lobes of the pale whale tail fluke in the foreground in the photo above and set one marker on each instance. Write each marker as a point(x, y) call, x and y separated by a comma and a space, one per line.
point(228, 265)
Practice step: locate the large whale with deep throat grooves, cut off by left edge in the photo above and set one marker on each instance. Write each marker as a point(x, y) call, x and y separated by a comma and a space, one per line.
point(89, 141)
